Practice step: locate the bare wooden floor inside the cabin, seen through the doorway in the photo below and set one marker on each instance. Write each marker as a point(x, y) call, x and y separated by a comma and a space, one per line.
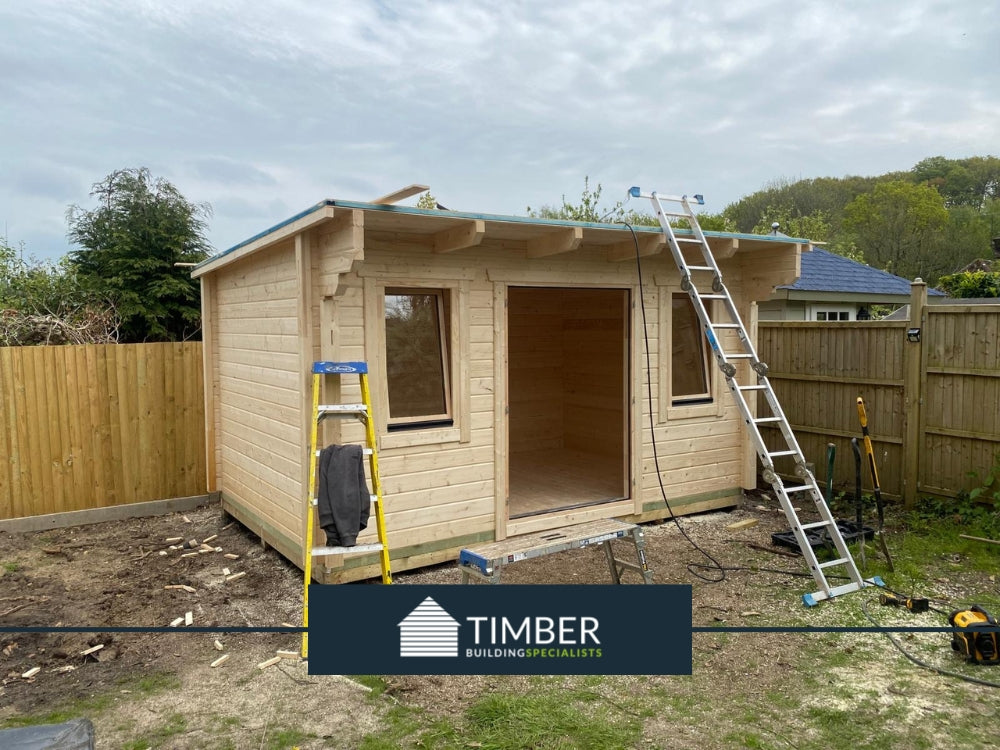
point(549, 480)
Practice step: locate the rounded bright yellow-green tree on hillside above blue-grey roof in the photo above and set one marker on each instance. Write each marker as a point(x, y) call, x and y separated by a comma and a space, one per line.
point(898, 228)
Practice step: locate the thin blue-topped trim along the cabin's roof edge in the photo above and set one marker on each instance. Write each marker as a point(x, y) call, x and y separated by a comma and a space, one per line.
point(408, 210)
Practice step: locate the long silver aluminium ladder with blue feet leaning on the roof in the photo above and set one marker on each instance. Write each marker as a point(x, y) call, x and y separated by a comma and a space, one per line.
point(709, 272)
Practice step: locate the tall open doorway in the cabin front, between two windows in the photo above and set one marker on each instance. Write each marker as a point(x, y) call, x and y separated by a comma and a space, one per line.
point(568, 391)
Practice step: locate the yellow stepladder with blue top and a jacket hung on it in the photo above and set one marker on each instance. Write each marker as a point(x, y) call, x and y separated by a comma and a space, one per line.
point(363, 412)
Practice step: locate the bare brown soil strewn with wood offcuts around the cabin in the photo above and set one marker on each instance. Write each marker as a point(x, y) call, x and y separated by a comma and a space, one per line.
point(115, 574)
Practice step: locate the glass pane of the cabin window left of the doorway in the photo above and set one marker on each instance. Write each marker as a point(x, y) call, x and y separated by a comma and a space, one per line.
point(415, 354)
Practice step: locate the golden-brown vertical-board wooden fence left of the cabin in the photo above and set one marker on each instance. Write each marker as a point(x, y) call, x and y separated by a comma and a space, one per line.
point(91, 426)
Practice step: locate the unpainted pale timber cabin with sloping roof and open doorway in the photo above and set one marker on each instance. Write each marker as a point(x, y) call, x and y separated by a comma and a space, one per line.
point(508, 363)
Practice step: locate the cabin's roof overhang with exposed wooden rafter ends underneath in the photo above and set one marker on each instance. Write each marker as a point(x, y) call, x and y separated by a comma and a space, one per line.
point(453, 231)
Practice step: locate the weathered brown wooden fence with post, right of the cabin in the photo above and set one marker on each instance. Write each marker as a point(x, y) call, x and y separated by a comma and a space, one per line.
point(933, 399)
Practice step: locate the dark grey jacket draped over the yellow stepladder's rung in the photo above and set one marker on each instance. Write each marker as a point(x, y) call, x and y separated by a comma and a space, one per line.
point(344, 500)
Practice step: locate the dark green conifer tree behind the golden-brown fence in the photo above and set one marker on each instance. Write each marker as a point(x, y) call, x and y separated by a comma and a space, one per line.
point(128, 247)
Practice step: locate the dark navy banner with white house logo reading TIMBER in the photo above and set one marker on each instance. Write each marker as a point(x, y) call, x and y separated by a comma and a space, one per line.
point(360, 629)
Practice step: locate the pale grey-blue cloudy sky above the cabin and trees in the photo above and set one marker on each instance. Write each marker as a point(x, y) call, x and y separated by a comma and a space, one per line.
point(264, 108)
